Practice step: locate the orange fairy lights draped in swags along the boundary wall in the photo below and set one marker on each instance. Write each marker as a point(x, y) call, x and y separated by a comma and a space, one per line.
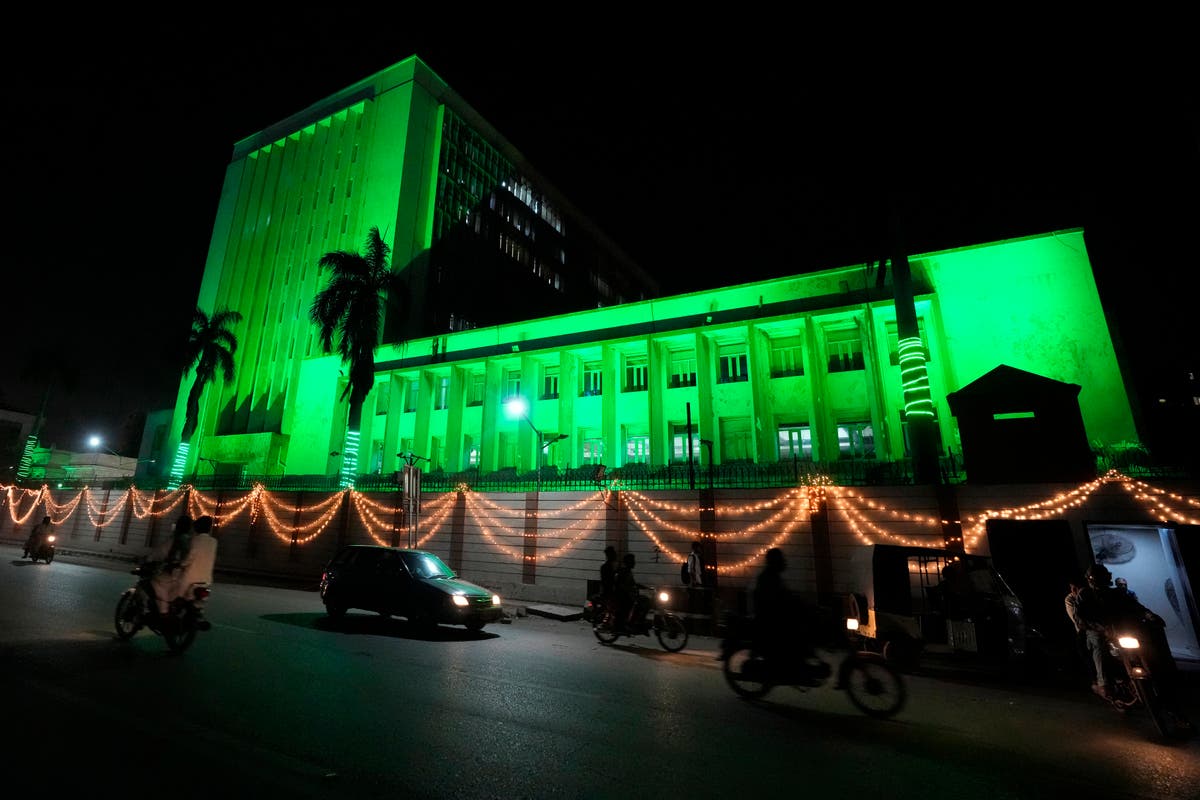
point(507, 530)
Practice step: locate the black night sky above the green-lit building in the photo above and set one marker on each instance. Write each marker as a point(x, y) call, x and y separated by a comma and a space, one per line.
point(713, 155)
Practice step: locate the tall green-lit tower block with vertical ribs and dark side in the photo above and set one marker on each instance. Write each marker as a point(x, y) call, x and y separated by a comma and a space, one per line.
point(479, 237)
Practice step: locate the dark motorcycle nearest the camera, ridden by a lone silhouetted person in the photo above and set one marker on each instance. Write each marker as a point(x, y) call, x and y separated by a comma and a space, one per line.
point(873, 685)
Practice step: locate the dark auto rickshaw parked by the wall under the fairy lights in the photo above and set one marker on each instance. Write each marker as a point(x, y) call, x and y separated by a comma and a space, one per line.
point(909, 601)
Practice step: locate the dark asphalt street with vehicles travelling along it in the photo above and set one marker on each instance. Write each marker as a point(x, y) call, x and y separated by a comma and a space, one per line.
point(278, 700)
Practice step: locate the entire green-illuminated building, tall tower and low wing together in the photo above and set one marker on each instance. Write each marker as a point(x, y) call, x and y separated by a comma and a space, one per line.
point(515, 294)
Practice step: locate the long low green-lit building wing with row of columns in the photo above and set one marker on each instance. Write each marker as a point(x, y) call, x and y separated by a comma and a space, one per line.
point(805, 368)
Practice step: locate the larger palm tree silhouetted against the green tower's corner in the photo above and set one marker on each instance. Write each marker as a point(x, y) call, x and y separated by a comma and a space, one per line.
point(352, 306)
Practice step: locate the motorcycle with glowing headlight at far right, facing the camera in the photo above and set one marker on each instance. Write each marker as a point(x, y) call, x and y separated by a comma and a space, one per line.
point(1136, 684)
